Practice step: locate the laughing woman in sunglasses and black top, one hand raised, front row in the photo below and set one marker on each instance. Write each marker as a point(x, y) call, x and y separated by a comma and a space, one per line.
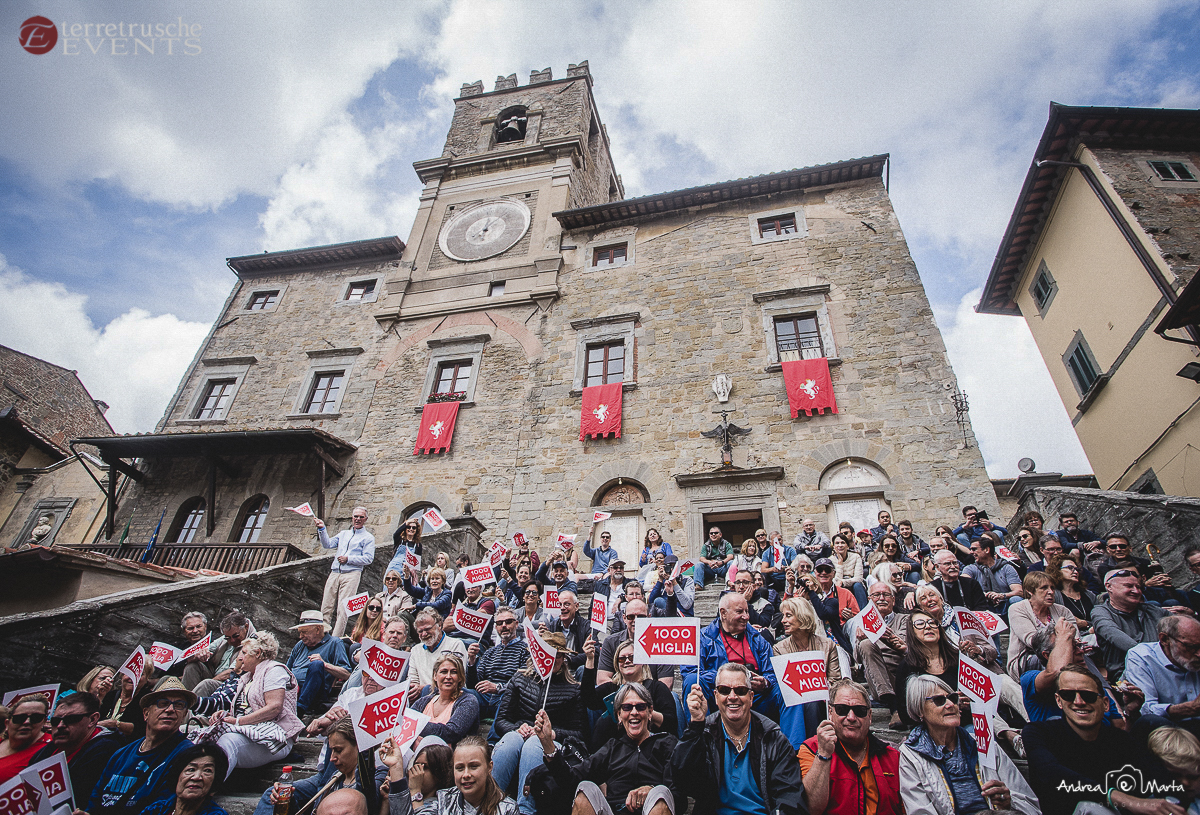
point(633, 765)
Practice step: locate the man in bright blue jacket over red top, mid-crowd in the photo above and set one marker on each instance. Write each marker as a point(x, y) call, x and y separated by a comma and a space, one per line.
point(731, 639)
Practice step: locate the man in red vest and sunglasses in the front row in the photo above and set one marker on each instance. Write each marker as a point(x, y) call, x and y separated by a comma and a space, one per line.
point(847, 769)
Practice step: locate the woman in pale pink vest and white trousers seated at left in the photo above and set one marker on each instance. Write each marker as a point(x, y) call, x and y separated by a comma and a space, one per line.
point(262, 726)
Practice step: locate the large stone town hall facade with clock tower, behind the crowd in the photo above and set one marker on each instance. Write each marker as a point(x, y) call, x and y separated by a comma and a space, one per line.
point(525, 256)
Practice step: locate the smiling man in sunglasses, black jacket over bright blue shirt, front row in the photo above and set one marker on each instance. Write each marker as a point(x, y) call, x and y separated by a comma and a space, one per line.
point(736, 760)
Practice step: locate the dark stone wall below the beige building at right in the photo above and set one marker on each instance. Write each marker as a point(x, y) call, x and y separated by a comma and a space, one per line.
point(1167, 523)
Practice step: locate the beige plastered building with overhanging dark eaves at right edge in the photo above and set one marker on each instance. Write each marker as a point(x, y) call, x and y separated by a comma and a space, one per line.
point(1102, 243)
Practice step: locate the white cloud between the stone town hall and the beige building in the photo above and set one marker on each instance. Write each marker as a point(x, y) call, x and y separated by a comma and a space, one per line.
point(1016, 411)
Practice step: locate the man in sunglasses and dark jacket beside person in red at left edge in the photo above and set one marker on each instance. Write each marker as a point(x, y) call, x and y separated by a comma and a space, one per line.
point(76, 732)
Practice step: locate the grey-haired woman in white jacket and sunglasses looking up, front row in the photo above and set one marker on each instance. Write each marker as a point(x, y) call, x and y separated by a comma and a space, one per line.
point(940, 768)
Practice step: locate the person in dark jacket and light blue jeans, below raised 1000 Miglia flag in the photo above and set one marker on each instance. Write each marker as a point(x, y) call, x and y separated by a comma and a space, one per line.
point(519, 750)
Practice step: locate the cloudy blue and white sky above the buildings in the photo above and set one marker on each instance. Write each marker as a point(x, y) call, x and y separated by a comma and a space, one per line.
point(127, 179)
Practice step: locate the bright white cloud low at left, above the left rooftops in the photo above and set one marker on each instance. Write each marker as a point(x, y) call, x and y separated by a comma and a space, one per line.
point(135, 363)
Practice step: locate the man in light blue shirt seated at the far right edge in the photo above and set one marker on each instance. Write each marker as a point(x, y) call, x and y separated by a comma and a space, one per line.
point(1168, 672)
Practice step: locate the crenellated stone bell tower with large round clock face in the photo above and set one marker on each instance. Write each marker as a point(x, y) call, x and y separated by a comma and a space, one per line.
point(485, 235)
